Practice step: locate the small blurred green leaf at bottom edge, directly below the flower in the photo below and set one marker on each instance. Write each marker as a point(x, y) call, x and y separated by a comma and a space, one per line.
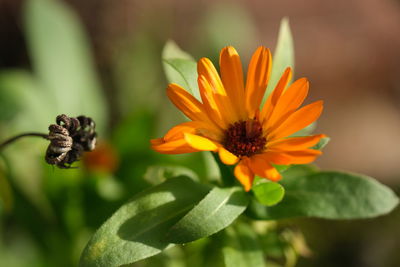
point(242, 247)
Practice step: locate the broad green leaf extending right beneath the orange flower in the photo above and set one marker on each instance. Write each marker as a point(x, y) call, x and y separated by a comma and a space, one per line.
point(330, 195)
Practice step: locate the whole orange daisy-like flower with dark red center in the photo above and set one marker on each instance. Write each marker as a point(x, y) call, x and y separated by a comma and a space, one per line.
point(229, 119)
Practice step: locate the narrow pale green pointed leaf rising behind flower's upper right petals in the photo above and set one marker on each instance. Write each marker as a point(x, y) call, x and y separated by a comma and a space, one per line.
point(283, 56)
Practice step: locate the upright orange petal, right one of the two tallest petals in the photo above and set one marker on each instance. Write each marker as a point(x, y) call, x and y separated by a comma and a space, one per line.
point(257, 78)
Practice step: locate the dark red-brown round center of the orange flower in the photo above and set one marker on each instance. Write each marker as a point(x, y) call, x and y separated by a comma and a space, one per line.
point(244, 138)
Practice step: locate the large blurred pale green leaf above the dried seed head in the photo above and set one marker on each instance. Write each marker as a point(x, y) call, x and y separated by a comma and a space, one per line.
point(61, 59)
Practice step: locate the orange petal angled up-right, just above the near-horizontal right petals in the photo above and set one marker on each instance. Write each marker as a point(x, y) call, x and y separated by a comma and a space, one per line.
point(297, 121)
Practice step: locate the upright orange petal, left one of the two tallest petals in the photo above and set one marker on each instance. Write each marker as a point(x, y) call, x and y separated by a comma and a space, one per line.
point(232, 78)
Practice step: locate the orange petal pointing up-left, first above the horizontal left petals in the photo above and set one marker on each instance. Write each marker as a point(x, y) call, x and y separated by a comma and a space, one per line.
point(184, 101)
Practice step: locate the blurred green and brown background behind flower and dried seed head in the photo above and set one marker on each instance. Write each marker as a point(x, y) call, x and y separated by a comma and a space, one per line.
point(349, 50)
